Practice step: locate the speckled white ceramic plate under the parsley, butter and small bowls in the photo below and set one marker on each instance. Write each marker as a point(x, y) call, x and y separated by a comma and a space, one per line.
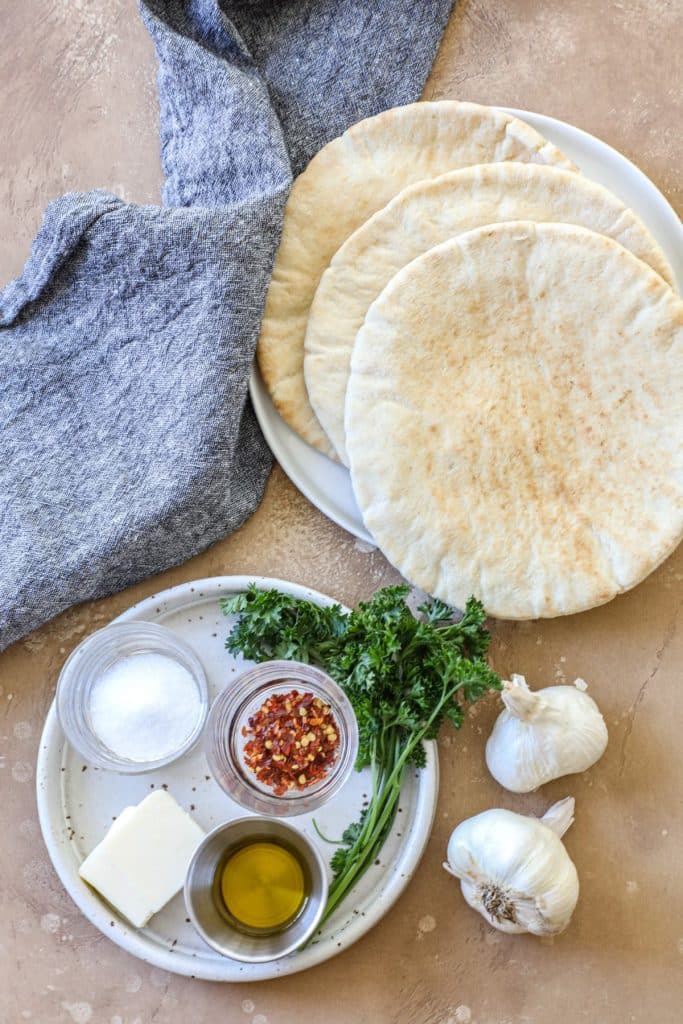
point(77, 803)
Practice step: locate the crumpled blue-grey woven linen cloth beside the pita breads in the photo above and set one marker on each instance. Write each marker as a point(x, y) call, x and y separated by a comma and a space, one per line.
point(127, 441)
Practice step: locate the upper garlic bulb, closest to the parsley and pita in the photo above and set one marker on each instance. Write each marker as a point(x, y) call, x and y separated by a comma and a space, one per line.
point(544, 735)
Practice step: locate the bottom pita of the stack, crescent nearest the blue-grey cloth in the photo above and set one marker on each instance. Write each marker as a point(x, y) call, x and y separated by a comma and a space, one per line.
point(348, 182)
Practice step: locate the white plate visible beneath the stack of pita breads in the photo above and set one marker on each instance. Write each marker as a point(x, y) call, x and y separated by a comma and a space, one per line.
point(327, 484)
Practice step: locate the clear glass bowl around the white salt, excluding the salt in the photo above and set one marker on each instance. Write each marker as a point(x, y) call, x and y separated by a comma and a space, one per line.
point(95, 657)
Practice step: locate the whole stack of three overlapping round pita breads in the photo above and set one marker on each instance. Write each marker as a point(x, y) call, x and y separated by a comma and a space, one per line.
point(493, 345)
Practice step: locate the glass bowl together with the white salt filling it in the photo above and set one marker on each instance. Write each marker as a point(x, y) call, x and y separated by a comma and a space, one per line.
point(133, 698)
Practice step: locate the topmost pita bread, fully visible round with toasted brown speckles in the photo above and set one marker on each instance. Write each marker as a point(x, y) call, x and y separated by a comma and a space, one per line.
point(515, 419)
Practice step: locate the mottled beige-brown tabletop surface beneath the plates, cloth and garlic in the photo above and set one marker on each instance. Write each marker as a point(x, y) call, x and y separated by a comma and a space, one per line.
point(78, 107)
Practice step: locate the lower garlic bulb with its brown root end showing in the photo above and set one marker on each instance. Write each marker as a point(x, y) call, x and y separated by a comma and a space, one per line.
point(515, 870)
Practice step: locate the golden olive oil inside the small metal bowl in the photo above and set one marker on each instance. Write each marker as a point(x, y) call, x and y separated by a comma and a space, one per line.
point(263, 886)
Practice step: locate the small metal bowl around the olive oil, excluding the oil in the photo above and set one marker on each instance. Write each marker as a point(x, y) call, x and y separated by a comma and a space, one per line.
point(214, 923)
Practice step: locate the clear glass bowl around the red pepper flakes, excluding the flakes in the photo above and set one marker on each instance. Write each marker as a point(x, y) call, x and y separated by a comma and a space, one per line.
point(225, 742)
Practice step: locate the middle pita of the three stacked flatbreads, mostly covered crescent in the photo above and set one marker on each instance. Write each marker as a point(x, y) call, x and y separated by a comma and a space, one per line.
point(423, 217)
